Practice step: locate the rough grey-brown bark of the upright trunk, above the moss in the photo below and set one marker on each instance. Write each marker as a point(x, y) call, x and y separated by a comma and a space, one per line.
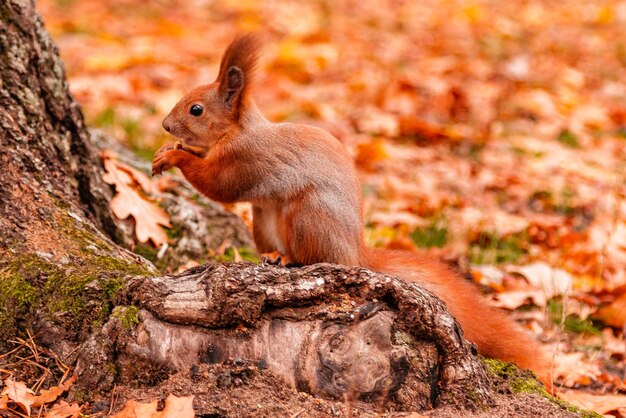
point(44, 148)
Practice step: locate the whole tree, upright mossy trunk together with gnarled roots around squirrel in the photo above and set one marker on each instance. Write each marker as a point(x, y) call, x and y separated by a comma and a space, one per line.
point(239, 336)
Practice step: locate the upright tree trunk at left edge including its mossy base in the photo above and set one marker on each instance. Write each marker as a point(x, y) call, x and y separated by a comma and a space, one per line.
point(59, 265)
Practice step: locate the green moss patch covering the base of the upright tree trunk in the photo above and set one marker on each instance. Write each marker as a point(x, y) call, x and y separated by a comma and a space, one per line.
point(76, 293)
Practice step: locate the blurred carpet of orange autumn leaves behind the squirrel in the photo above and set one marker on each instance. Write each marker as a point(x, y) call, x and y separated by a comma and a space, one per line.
point(490, 133)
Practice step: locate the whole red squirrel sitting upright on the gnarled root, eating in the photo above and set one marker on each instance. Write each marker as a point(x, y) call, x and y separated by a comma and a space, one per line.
point(305, 196)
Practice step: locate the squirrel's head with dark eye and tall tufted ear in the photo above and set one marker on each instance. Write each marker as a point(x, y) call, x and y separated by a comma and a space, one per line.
point(208, 113)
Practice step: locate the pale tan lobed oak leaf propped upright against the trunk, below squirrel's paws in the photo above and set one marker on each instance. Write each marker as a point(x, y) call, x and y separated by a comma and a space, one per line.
point(129, 201)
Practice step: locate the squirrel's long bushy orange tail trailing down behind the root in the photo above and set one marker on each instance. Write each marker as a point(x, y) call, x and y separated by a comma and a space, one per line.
point(493, 332)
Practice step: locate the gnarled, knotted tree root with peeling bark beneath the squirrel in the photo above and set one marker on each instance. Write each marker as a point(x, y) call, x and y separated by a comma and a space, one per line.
point(335, 332)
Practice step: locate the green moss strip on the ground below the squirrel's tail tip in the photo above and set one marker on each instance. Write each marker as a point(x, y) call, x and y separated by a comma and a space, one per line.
point(524, 382)
